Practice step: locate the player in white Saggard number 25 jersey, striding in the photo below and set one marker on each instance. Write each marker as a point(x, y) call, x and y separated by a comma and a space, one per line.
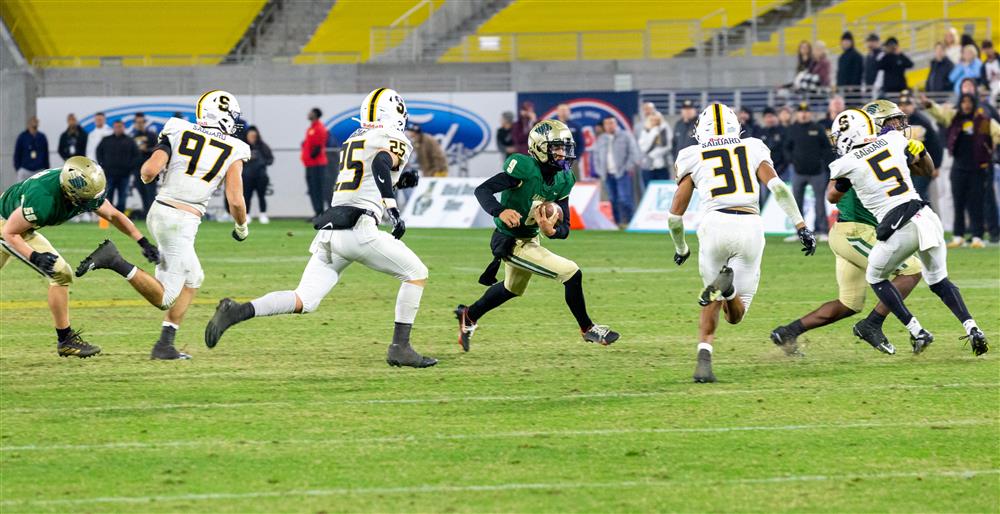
point(370, 164)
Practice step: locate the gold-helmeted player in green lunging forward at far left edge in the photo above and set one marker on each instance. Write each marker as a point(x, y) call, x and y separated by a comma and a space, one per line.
point(50, 198)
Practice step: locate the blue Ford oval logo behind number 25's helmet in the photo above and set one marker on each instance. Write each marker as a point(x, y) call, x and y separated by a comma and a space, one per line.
point(461, 133)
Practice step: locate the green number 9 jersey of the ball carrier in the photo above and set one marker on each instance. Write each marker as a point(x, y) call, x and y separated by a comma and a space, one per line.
point(533, 190)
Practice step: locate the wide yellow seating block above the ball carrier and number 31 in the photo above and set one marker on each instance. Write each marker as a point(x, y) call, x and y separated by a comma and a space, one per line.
point(539, 30)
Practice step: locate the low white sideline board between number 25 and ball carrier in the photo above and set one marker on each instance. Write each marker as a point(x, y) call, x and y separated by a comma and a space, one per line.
point(445, 203)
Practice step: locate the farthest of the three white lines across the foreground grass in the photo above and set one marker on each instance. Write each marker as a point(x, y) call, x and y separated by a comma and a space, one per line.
point(492, 398)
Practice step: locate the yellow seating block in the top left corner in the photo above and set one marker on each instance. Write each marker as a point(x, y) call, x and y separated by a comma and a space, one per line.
point(58, 33)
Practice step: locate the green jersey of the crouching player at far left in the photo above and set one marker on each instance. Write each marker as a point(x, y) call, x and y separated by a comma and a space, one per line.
point(41, 200)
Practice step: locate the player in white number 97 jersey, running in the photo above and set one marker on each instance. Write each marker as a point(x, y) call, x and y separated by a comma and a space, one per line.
point(195, 159)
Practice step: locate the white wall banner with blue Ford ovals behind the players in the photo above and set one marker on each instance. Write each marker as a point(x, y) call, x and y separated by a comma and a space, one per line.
point(464, 124)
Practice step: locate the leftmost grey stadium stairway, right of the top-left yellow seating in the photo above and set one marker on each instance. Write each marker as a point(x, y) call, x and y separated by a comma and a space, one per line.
point(282, 28)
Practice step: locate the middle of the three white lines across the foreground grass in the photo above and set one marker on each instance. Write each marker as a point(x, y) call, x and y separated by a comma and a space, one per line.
point(215, 443)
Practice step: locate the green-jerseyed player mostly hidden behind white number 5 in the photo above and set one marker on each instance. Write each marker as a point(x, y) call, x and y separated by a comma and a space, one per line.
point(851, 239)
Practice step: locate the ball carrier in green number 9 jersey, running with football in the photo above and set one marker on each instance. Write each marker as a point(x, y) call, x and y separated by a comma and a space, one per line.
point(526, 183)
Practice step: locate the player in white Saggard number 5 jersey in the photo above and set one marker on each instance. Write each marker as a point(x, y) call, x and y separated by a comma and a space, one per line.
point(877, 167)
